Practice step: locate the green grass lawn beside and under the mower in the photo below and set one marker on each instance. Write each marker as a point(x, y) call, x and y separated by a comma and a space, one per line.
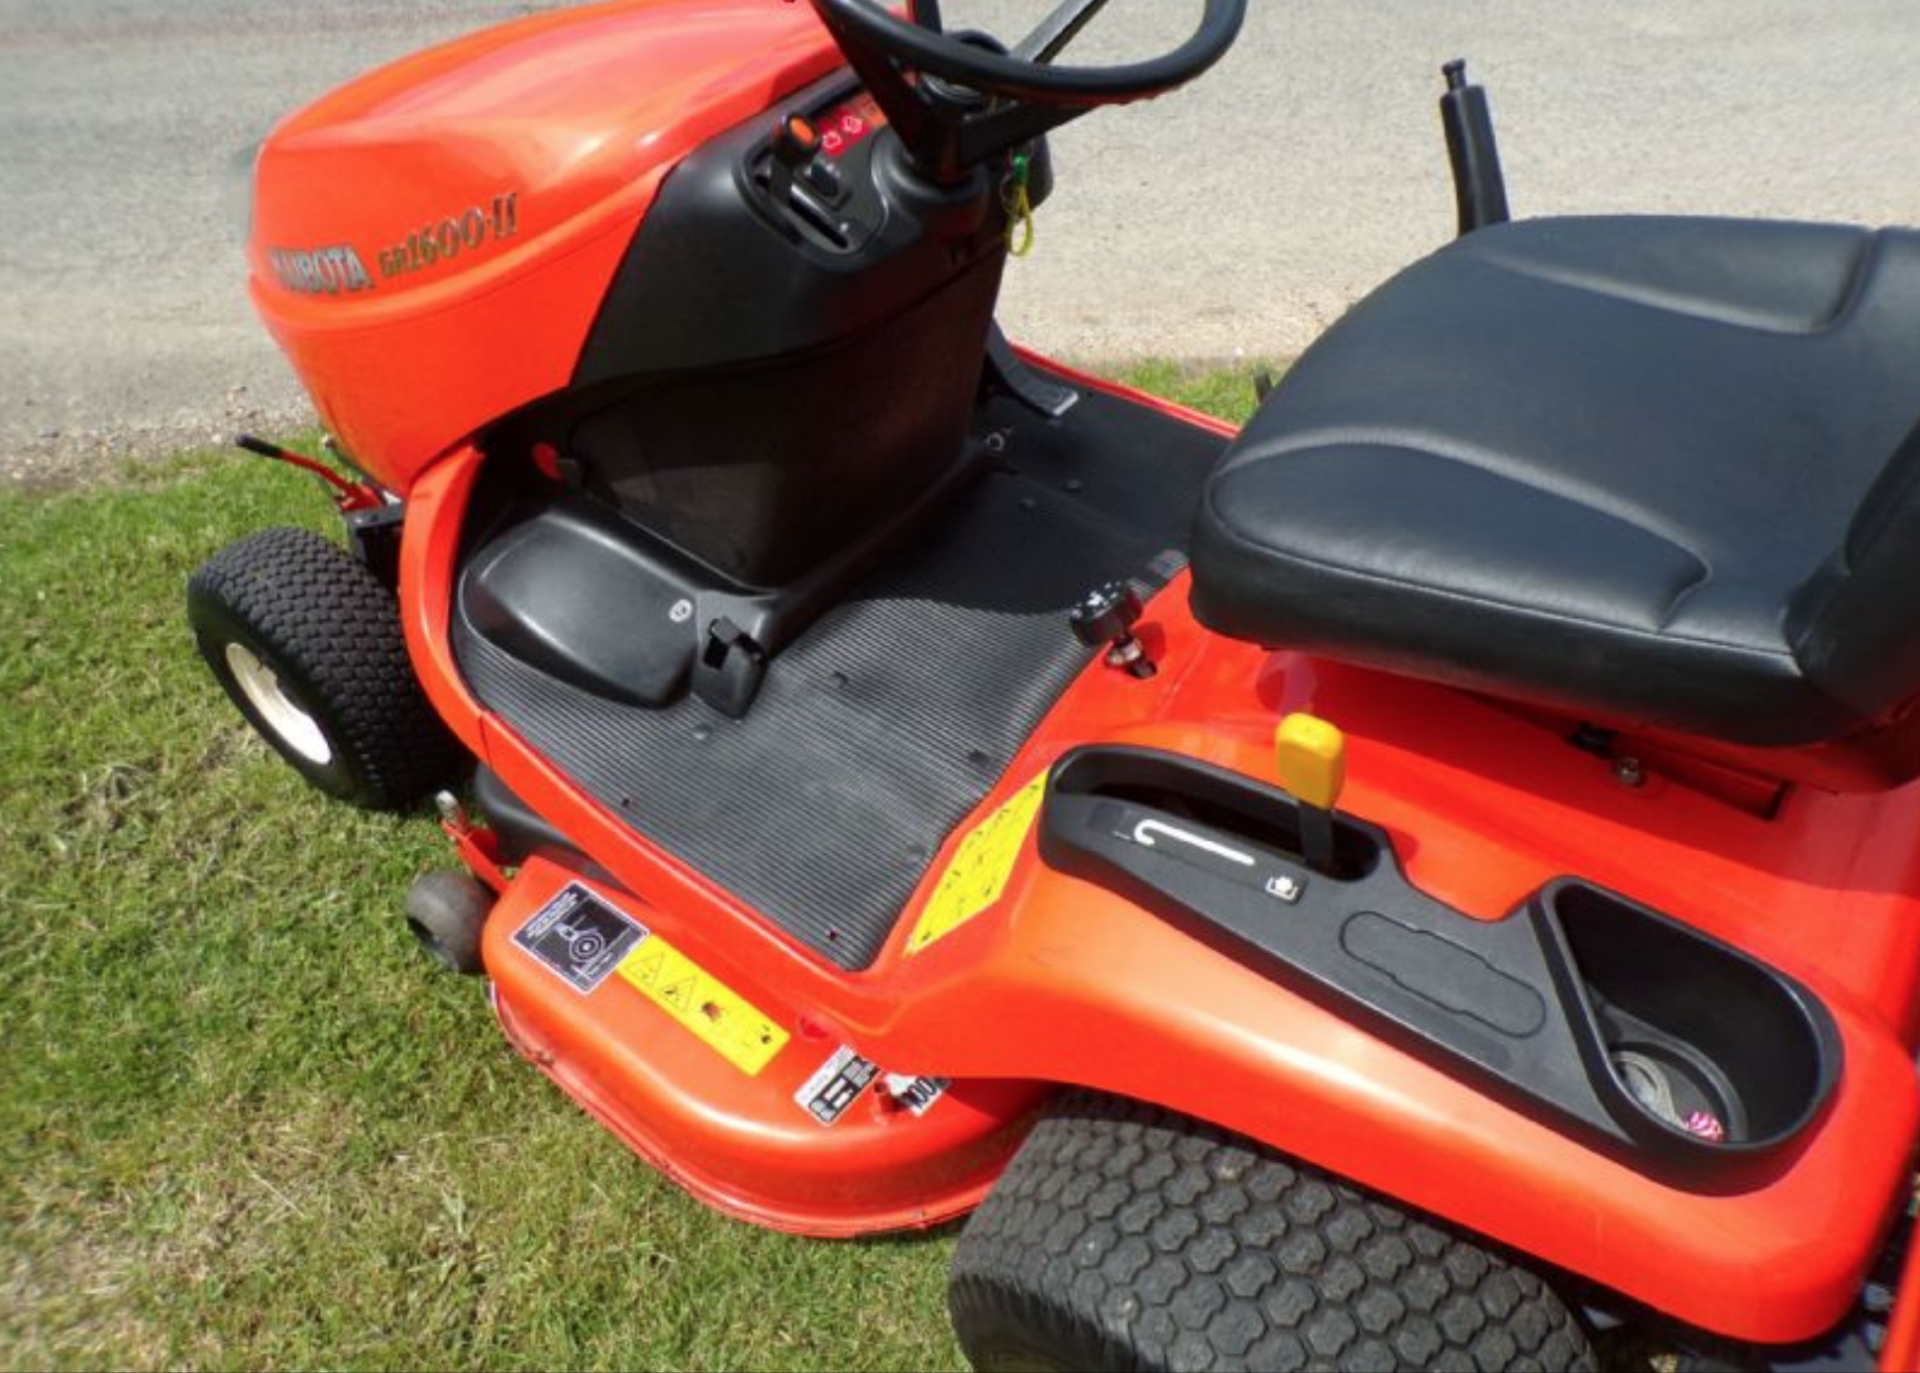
point(245, 1120)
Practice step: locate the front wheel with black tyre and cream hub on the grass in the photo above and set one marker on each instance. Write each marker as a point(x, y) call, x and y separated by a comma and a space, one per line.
point(308, 644)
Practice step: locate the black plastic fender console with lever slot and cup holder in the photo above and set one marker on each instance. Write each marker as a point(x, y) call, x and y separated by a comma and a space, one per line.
point(1644, 1036)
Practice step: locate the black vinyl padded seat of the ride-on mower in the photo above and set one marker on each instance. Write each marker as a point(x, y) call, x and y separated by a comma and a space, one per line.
point(1648, 471)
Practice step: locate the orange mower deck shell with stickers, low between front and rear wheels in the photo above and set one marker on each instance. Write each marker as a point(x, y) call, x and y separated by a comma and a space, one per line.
point(740, 1142)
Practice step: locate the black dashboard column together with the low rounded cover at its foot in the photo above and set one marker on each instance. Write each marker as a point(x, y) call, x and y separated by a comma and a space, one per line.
point(779, 387)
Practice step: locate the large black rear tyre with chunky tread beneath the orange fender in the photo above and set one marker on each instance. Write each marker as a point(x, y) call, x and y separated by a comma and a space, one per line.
point(1130, 1238)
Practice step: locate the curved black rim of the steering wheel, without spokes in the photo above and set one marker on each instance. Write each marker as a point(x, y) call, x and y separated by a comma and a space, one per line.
point(1009, 78)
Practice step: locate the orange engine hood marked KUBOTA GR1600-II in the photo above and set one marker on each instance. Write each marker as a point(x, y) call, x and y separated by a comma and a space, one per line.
point(441, 141)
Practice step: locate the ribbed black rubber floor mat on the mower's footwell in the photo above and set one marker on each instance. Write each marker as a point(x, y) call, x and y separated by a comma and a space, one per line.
point(900, 710)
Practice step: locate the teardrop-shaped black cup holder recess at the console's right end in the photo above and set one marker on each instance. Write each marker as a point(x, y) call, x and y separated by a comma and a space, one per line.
point(1691, 1046)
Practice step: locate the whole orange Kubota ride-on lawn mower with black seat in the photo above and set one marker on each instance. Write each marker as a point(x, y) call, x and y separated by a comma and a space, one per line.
point(1418, 882)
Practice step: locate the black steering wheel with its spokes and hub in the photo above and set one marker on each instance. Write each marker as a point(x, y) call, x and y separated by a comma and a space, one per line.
point(959, 99)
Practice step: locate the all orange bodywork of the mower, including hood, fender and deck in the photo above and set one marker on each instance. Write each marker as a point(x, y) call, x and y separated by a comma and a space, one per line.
point(462, 285)
